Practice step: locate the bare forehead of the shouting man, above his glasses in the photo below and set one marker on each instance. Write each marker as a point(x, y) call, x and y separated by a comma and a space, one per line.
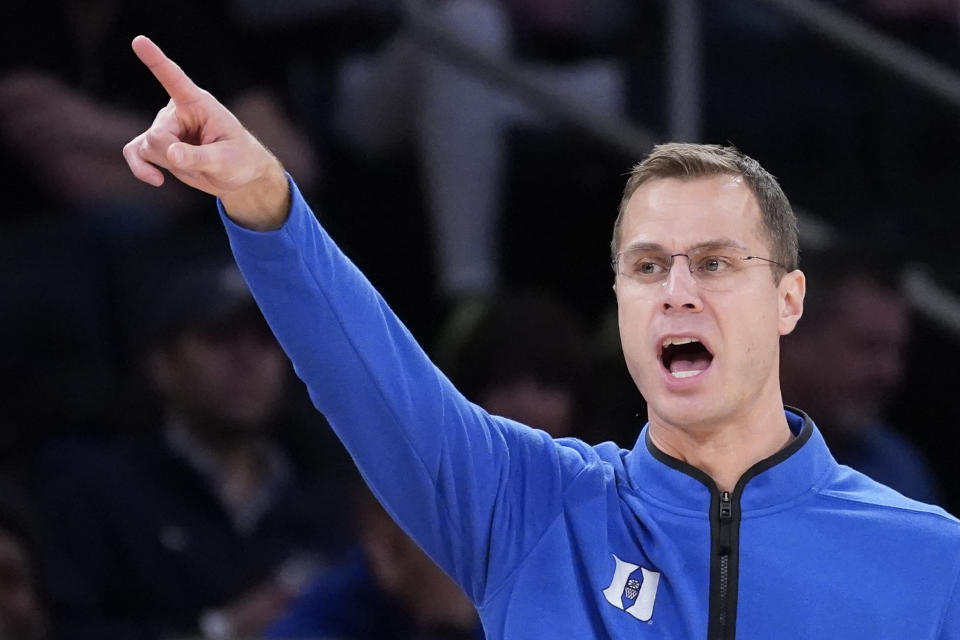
point(679, 214)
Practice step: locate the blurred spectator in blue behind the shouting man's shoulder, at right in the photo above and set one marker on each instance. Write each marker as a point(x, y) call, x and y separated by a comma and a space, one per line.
point(846, 359)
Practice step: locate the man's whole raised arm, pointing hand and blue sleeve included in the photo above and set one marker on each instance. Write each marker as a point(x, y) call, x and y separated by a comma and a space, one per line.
point(449, 473)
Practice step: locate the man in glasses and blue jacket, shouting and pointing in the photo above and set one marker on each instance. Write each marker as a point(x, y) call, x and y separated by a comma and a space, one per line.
point(556, 538)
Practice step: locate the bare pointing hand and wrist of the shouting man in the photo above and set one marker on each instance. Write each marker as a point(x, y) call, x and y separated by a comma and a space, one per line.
point(202, 144)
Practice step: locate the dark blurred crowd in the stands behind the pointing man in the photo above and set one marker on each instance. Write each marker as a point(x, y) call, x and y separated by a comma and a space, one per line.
point(162, 472)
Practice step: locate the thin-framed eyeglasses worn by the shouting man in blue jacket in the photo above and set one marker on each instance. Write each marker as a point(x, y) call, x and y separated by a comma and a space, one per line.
point(712, 271)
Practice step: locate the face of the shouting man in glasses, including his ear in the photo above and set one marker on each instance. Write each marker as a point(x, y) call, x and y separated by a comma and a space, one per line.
point(734, 368)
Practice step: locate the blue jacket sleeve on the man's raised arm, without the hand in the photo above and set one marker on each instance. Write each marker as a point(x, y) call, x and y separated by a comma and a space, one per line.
point(474, 490)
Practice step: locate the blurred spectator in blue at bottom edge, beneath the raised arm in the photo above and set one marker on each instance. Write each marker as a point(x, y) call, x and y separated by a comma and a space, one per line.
point(387, 589)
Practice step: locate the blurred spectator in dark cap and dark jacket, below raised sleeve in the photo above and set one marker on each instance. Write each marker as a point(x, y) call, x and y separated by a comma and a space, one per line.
point(206, 525)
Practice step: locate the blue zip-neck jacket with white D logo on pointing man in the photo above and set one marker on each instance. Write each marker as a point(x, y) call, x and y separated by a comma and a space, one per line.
point(555, 538)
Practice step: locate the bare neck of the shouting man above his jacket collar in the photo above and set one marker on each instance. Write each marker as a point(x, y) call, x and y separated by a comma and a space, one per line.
point(726, 449)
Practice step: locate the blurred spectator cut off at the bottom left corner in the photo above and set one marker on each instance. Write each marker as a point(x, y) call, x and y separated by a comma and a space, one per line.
point(22, 613)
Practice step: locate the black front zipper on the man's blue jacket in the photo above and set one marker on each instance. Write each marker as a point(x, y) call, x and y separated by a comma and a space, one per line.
point(723, 600)
